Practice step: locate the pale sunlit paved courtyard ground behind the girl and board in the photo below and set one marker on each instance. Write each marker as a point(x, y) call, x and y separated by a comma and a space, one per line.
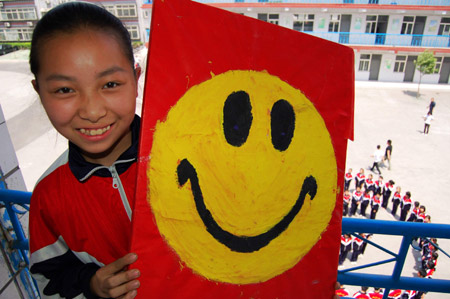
point(420, 163)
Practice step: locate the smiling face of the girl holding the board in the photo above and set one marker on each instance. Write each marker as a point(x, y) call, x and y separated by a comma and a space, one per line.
point(88, 89)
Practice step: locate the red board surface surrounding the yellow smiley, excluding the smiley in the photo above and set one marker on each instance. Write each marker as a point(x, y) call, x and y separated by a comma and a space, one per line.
point(188, 42)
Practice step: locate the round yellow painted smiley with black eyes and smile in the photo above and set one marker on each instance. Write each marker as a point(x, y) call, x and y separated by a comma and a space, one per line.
point(242, 177)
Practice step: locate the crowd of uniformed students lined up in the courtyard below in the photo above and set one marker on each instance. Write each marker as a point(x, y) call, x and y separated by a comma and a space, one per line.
point(368, 196)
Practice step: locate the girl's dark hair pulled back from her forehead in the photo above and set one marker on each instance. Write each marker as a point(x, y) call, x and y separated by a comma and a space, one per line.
point(71, 17)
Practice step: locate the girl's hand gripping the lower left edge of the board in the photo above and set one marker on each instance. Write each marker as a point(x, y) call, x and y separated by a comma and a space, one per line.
point(114, 281)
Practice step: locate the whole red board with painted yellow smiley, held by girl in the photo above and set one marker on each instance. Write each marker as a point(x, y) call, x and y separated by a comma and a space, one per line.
point(242, 156)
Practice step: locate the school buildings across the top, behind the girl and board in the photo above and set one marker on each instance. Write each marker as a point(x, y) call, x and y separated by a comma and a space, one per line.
point(387, 35)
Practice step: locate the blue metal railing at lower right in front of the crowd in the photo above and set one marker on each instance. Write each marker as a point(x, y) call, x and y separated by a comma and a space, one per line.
point(409, 231)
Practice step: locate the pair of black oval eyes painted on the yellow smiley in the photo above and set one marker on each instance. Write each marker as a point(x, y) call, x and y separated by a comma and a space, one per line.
point(237, 120)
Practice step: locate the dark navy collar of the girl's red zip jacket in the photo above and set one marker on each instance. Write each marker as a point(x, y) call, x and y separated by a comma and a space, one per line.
point(83, 169)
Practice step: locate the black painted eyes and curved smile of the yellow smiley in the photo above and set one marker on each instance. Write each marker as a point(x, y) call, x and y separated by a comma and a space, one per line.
point(237, 120)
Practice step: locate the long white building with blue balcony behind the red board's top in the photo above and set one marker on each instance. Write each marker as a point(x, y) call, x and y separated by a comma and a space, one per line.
point(386, 35)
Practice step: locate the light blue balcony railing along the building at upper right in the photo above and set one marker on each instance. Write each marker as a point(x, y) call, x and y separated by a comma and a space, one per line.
point(377, 39)
